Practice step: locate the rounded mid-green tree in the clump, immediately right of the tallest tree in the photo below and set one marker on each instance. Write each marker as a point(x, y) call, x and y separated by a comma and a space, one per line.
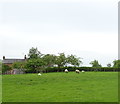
point(49, 60)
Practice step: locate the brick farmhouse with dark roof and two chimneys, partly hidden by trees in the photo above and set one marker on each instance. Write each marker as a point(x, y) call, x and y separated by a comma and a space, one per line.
point(10, 62)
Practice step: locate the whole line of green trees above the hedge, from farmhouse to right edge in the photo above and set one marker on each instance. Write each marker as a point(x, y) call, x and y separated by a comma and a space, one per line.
point(37, 62)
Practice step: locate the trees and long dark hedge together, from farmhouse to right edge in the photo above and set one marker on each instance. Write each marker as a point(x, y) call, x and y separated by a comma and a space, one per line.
point(38, 62)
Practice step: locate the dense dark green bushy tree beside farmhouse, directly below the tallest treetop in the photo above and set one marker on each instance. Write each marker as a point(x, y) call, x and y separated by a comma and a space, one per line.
point(35, 65)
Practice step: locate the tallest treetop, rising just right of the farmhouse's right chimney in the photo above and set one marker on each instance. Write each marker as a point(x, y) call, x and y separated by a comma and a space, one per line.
point(34, 53)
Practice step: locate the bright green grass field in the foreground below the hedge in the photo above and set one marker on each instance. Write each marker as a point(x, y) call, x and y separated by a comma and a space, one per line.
point(61, 87)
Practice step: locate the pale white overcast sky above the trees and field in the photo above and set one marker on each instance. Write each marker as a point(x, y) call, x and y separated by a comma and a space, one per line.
point(86, 28)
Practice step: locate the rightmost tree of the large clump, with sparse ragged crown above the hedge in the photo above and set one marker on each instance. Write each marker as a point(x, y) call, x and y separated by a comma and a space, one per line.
point(73, 60)
